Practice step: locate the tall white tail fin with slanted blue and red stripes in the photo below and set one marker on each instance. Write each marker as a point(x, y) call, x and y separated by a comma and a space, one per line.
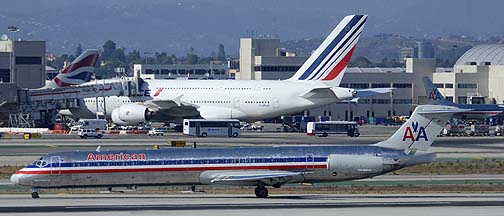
point(330, 59)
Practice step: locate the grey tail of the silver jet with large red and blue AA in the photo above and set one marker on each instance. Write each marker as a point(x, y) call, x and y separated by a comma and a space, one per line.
point(421, 129)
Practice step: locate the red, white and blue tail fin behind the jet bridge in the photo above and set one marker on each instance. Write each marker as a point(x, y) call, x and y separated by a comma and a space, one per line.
point(78, 72)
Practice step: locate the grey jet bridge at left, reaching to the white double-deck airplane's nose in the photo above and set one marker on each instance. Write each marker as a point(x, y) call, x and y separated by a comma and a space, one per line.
point(43, 104)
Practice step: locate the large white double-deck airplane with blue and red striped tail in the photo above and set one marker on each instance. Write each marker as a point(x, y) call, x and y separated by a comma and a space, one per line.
point(315, 84)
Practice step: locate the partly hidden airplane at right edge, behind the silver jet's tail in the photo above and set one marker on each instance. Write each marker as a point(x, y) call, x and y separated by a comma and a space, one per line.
point(475, 111)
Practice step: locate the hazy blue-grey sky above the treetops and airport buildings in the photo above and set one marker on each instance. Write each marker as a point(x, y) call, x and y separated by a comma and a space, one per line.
point(177, 26)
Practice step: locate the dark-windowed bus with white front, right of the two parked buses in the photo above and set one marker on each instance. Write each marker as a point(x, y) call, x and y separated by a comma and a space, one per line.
point(332, 127)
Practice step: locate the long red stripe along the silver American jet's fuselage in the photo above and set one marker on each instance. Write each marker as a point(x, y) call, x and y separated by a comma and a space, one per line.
point(173, 169)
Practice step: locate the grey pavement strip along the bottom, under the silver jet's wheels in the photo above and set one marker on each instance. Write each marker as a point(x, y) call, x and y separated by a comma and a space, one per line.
point(237, 204)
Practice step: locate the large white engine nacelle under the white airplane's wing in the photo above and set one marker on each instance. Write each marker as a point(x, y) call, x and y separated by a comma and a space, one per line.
point(131, 114)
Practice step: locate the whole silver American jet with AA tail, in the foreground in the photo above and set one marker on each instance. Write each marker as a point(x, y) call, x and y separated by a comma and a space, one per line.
point(245, 166)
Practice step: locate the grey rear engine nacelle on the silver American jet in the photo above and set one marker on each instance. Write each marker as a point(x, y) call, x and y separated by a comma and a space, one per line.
point(354, 164)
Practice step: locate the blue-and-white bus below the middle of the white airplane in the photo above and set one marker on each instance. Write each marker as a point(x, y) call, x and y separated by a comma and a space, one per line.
point(205, 127)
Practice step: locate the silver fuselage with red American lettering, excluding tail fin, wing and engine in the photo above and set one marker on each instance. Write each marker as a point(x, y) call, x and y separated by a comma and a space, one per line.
point(190, 166)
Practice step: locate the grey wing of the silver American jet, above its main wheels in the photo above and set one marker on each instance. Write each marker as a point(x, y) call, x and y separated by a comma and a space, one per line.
point(266, 177)
